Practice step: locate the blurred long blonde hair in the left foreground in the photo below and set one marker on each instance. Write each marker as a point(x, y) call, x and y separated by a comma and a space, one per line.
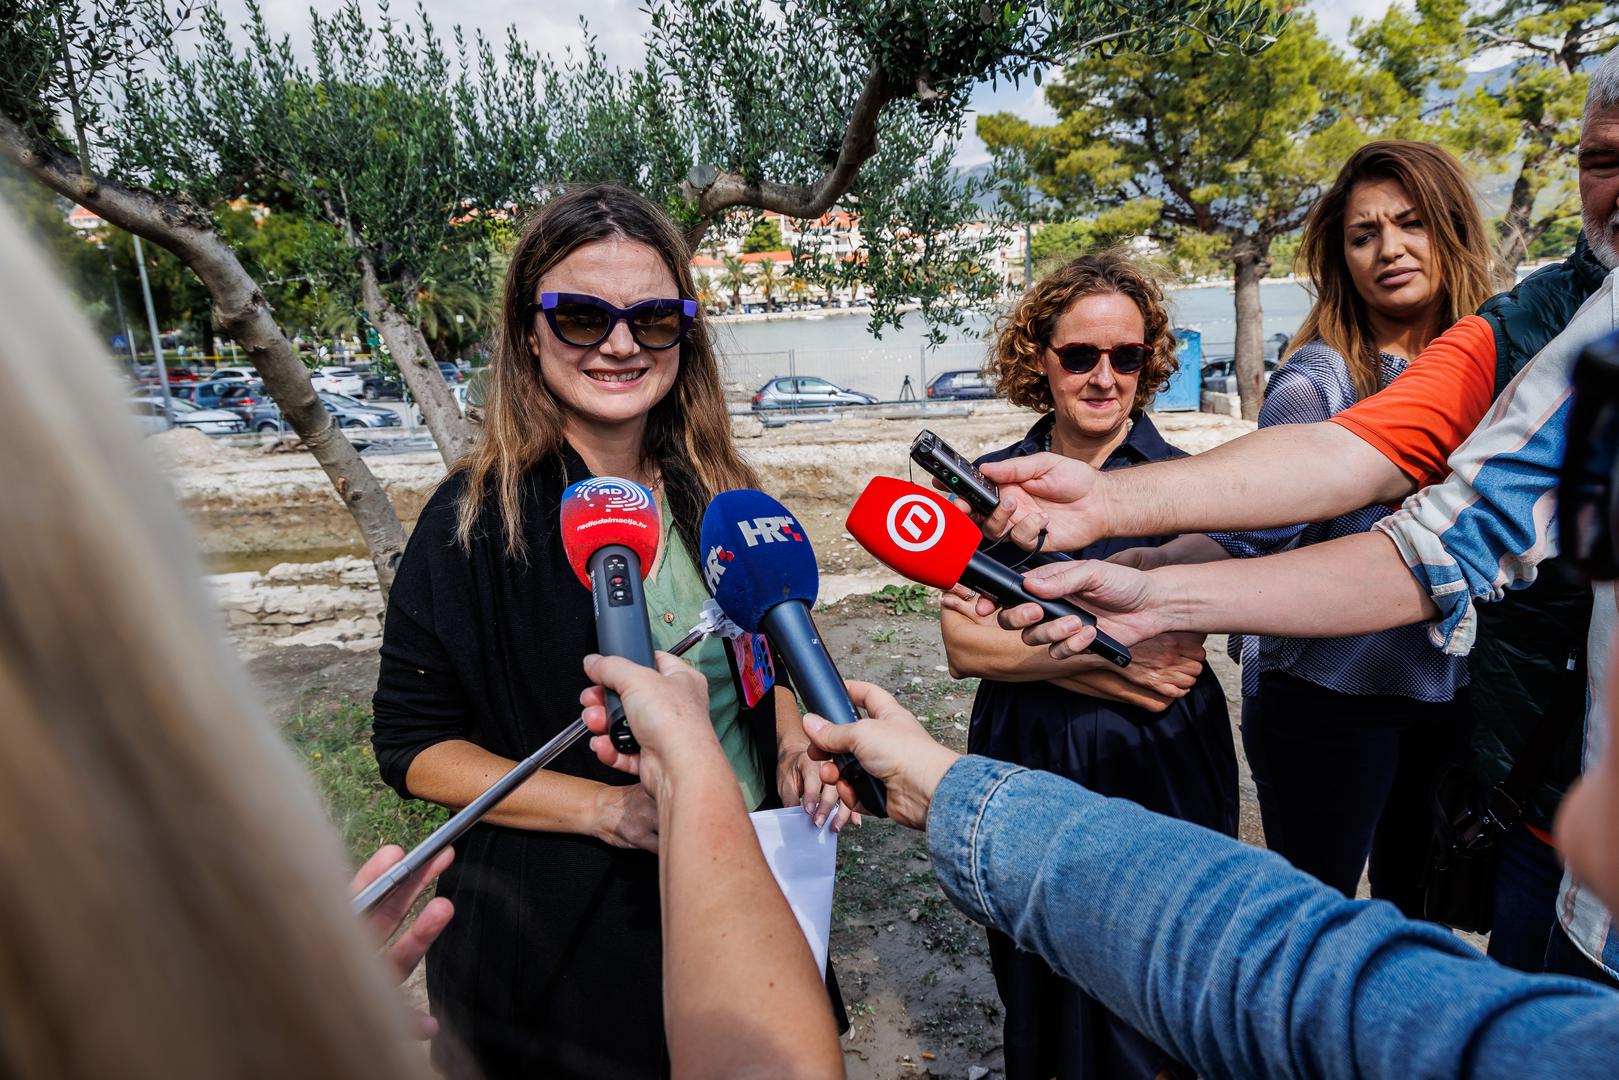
point(174, 899)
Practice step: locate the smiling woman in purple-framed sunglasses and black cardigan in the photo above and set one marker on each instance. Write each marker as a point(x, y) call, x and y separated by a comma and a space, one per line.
point(603, 367)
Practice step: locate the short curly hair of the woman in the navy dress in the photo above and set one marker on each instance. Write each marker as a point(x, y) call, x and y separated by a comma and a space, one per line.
point(1022, 336)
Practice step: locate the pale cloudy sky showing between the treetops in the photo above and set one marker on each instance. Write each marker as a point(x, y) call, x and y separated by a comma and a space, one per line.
point(555, 27)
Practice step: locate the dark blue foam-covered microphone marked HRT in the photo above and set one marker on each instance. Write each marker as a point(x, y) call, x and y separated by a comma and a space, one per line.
point(760, 568)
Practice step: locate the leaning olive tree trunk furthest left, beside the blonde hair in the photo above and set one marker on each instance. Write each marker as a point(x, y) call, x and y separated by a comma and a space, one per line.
point(240, 312)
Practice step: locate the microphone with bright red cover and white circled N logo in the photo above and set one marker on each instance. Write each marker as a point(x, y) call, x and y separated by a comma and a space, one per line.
point(920, 535)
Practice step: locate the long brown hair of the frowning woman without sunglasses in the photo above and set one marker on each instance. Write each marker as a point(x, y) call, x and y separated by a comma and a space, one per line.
point(1463, 253)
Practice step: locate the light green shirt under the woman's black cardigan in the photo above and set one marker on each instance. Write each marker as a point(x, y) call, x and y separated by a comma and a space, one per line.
point(674, 603)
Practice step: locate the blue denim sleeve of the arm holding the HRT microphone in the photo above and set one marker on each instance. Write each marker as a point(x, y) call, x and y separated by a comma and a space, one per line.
point(1234, 961)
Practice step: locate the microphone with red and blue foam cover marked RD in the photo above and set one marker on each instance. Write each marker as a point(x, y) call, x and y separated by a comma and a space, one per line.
point(610, 535)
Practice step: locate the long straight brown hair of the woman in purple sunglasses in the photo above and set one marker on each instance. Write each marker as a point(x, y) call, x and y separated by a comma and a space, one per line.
point(687, 433)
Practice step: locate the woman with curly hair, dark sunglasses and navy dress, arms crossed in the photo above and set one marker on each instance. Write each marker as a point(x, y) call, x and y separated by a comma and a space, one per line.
point(1089, 347)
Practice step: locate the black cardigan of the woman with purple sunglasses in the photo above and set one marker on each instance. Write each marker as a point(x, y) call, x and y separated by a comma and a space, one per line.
point(551, 963)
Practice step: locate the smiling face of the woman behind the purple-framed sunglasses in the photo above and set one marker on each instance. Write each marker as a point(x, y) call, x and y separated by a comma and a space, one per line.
point(616, 381)
